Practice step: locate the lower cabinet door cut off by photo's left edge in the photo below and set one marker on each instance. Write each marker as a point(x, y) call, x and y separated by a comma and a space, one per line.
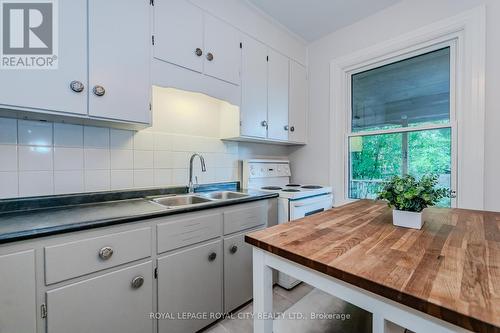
point(17, 292)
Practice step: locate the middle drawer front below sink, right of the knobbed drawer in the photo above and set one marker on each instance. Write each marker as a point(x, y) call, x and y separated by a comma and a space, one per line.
point(179, 233)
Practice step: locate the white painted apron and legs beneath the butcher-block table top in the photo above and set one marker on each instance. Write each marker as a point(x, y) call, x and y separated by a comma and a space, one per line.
point(383, 309)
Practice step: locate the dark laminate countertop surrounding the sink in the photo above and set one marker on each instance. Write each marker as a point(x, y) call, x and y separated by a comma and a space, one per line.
point(24, 224)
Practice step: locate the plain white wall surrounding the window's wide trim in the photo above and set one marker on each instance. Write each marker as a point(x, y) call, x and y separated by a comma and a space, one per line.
point(311, 163)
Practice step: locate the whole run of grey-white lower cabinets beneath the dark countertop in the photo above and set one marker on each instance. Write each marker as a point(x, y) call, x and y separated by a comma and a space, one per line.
point(103, 281)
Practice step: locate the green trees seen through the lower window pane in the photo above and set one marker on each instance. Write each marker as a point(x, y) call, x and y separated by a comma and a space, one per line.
point(377, 158)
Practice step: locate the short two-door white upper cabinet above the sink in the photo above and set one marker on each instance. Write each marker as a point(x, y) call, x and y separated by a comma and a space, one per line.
point(188, 37)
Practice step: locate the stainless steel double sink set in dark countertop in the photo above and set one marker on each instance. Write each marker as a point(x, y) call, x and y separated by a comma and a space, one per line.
point(182, 200)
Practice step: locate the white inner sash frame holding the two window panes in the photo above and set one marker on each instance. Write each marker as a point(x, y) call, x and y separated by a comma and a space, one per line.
point(452, 124)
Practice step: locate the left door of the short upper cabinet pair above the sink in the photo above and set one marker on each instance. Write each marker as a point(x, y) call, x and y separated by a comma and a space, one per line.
point(178, 28)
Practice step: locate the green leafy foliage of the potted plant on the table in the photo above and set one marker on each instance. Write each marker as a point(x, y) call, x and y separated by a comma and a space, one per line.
point(409, 194)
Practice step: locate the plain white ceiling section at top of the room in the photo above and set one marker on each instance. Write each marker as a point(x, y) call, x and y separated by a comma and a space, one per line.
point(313, 19)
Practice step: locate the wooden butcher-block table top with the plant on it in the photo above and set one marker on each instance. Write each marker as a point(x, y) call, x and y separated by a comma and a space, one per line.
point(450, 269)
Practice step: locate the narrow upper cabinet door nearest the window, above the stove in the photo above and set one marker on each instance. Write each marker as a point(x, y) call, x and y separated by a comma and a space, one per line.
point(298, 103)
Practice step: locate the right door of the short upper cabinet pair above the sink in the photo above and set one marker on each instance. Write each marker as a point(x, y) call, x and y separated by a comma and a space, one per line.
point(222, 50)
